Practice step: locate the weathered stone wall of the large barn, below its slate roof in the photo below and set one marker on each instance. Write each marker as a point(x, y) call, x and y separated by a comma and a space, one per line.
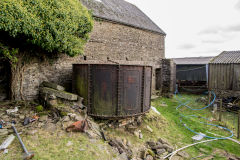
point(109, 43)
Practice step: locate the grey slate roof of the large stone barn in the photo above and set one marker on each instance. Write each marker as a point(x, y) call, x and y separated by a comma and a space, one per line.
point(122, 12)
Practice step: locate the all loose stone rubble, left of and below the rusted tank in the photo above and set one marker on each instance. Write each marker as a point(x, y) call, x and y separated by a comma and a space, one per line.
point(64, 113)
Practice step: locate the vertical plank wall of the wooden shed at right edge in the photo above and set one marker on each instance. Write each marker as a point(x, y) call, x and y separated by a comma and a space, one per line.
point(224, 79)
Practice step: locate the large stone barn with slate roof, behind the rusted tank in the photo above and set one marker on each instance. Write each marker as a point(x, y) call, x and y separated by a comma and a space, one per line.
point(122, 34)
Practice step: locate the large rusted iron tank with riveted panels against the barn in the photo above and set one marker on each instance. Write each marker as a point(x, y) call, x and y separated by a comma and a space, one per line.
point(113, 91)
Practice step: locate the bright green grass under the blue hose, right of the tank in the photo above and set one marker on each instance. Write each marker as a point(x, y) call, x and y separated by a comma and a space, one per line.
point(181, 136)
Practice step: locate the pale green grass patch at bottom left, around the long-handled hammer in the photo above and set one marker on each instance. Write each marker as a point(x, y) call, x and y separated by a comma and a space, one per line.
point(47, 146)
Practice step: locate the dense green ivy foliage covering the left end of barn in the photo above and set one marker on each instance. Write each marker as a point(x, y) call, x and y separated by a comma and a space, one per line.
point(60, 26)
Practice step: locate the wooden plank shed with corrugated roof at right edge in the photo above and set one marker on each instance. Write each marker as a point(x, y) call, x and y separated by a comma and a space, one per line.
point(224, 74)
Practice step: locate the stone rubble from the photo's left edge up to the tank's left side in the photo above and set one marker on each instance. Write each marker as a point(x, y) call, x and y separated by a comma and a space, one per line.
point(65, 109)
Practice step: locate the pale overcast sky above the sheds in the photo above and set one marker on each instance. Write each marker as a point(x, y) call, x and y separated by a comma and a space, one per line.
point(195, 27)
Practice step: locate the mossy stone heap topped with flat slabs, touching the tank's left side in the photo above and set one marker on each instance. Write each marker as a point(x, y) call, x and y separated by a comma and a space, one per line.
point(69, 107)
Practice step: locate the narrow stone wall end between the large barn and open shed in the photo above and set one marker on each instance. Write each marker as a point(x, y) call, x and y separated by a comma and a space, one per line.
point(168, 76)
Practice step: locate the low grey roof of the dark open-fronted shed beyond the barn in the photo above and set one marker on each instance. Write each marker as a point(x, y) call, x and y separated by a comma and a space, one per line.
point(192, 60)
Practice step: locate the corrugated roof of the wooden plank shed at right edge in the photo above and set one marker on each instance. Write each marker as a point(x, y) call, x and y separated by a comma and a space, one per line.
point(227, 57)
